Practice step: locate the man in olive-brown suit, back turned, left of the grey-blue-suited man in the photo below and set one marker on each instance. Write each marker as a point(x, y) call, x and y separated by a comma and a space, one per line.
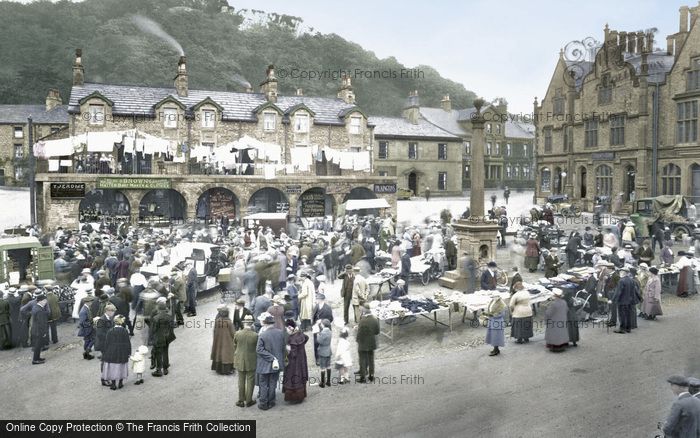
point(245, 343)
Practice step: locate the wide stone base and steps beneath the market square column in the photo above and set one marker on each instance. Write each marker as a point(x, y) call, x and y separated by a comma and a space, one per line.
point(476, 239)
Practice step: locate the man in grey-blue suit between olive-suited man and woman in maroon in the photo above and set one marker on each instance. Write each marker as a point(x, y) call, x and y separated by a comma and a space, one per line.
point(270, 361)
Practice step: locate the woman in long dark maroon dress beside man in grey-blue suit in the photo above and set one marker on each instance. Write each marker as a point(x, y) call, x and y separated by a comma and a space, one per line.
point(296, 372)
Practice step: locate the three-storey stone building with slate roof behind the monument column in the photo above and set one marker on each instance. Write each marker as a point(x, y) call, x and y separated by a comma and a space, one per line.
point(509, 146)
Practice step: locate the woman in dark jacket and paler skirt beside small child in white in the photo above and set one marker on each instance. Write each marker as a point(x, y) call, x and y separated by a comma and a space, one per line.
point(115, 354)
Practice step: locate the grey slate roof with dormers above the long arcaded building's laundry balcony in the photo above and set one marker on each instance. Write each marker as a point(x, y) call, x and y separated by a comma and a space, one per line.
point(139, 100)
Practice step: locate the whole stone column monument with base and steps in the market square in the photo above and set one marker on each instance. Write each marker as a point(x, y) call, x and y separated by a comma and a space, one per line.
point(477, 234)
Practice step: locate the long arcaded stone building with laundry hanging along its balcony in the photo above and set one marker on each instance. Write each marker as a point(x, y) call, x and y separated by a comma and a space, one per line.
point(313, 153)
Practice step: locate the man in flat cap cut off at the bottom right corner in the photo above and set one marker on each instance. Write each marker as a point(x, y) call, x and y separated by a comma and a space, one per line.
point(684, 419)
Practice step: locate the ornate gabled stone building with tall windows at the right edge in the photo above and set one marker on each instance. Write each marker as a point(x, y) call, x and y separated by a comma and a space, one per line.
point(623, 122)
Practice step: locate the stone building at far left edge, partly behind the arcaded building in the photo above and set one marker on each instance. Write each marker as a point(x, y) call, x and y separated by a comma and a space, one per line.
point(14, 135)
